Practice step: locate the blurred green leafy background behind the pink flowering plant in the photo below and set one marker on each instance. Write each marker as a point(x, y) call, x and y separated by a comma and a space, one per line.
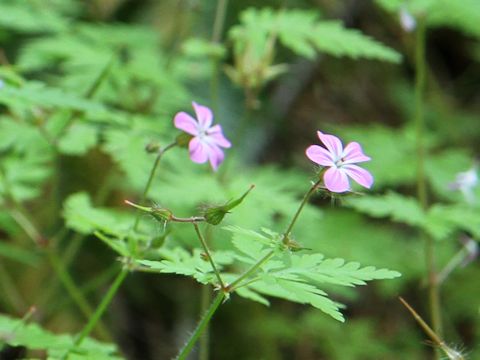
point(153, 58)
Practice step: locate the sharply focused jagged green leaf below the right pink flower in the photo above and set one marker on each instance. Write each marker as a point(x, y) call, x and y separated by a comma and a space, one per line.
point(298, 277)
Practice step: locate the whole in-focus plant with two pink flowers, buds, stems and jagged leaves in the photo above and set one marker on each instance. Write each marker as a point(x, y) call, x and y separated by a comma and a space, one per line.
point(265, 263)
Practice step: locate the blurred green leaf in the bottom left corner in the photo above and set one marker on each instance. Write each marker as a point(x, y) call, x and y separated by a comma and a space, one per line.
point(16, 332)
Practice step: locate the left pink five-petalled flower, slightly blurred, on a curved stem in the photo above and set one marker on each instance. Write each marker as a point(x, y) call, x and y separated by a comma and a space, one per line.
point(207, 141)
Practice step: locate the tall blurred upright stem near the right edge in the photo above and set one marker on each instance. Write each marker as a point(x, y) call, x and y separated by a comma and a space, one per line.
point(420, 82)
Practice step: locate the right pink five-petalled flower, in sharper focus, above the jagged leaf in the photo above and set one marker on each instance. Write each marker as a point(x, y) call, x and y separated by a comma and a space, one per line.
point(340, 162)
